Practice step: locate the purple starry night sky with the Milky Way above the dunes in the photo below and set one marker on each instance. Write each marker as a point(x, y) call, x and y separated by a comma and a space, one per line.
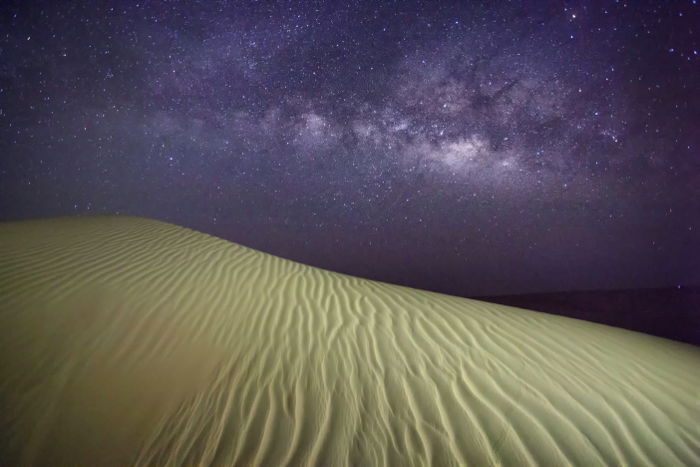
point(473, 148)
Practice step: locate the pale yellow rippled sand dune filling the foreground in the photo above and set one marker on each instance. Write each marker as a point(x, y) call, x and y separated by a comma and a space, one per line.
point(126, 340)
